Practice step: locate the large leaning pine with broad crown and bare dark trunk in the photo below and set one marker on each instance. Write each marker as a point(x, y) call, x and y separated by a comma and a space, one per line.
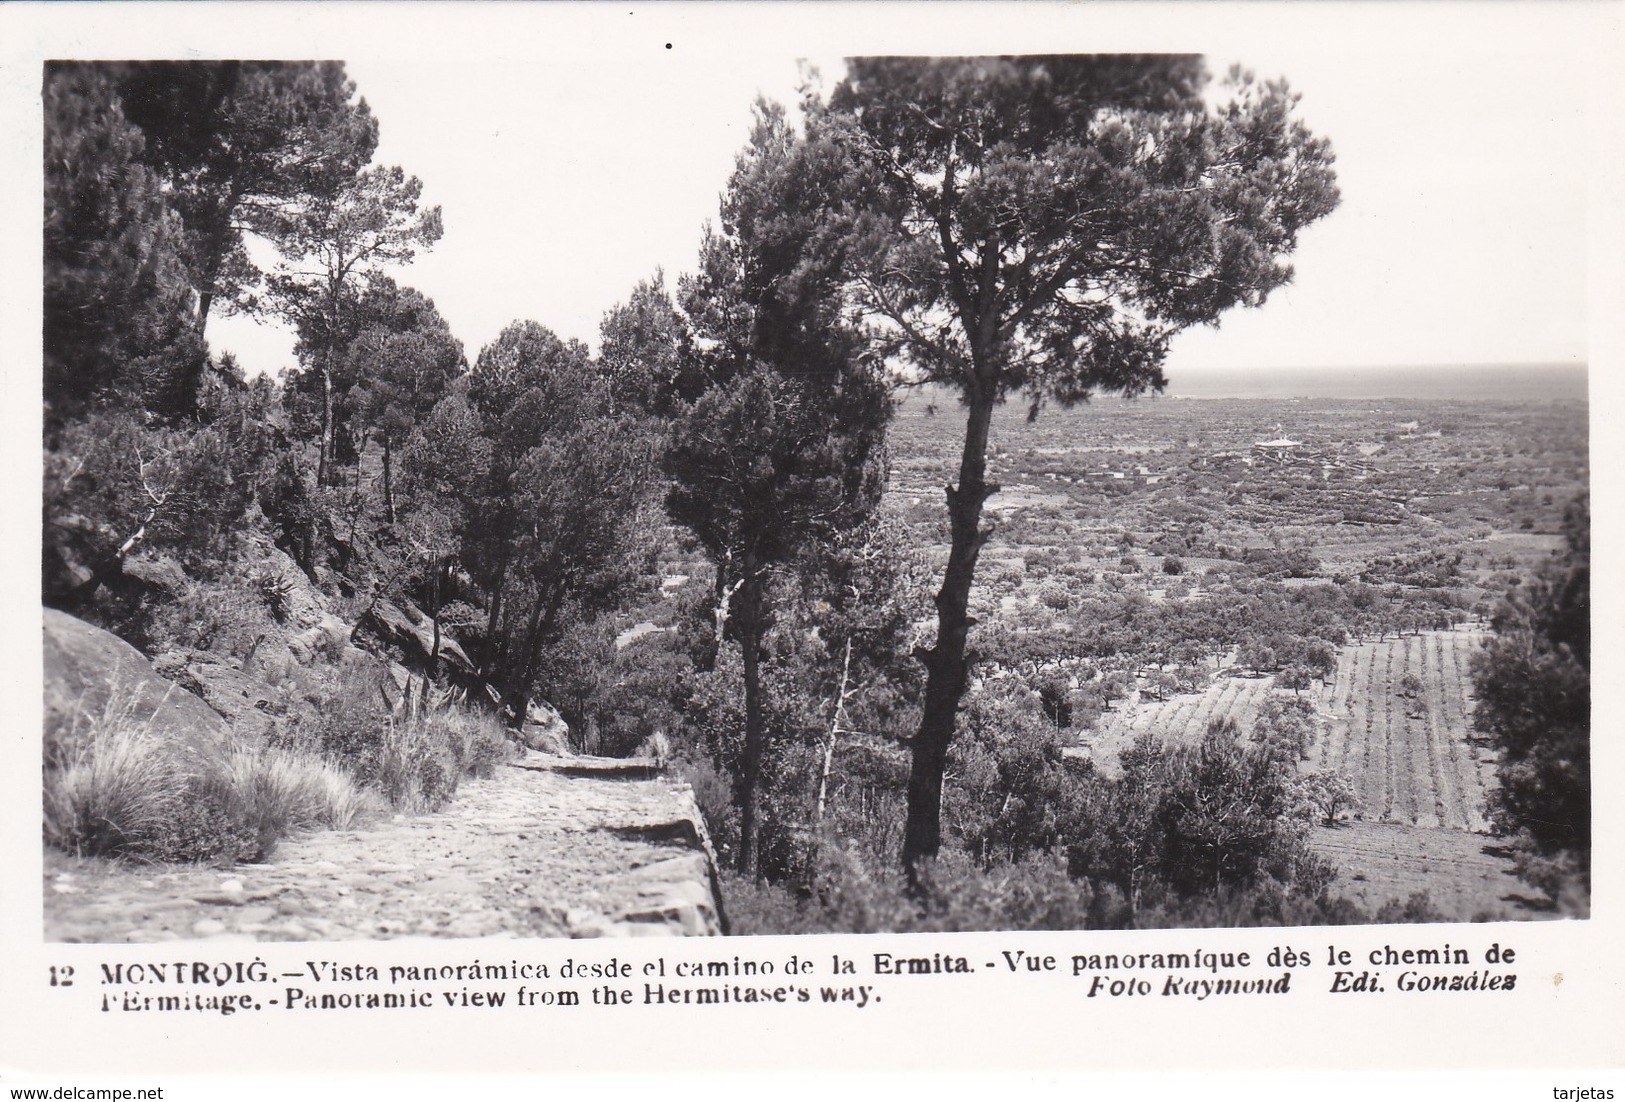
point(1044, 227)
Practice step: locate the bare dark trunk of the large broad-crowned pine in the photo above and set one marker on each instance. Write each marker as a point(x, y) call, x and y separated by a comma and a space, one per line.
point(945, 662)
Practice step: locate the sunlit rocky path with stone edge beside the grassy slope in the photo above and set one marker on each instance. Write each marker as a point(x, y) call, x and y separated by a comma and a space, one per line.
point(548, 848)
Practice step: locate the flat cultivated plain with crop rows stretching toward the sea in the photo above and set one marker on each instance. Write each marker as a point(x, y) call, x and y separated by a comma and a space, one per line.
point(1138, 536)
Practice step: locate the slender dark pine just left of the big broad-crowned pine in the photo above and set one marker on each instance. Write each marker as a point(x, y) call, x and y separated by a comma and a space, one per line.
point(784, 448)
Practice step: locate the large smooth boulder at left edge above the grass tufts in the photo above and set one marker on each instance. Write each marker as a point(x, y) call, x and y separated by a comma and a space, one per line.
point(95, 680)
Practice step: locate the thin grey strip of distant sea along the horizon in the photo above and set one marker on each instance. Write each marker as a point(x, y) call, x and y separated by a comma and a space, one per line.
point(1497, 383)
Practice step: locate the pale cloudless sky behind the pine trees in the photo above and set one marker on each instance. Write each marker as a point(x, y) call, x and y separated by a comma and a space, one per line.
point(1460, 236)
